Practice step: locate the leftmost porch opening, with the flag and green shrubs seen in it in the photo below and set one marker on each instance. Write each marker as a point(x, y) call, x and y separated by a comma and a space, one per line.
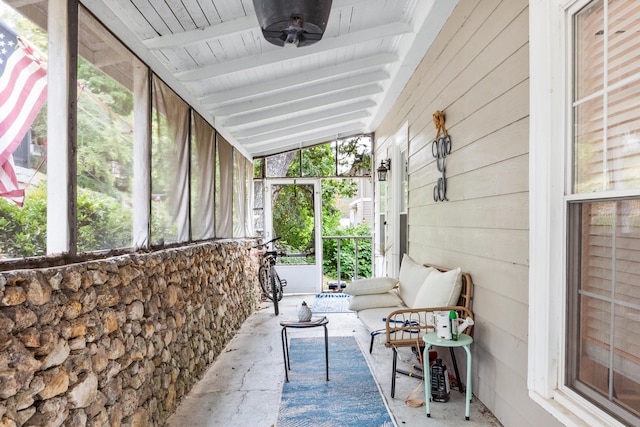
point(23, 170)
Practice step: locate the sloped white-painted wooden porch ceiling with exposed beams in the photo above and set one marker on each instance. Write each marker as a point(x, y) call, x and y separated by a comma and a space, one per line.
point(264, 98)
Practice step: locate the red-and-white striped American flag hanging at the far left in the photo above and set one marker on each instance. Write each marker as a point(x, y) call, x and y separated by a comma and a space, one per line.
point(23, 90)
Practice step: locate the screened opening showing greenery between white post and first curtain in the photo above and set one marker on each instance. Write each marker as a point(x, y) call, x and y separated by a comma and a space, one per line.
point(105, 138)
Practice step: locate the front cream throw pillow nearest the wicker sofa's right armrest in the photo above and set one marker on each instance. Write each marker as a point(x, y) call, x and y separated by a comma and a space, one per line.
point(439, 289)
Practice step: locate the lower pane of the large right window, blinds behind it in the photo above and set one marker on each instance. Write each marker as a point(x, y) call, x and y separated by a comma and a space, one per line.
point(607, 284)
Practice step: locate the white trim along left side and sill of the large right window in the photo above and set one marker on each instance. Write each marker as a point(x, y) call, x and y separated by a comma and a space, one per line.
point(550, 80)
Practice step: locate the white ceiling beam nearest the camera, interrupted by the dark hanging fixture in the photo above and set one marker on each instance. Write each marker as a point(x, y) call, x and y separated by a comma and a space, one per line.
point(224, 29)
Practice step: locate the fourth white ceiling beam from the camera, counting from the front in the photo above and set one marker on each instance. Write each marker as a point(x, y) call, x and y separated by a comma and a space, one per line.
point(306, 92)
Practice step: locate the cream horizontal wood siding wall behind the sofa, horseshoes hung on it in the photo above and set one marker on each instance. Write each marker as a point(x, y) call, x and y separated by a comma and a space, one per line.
point(477, 73)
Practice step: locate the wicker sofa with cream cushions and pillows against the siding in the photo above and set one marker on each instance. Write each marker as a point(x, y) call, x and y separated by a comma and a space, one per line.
point(400, 310)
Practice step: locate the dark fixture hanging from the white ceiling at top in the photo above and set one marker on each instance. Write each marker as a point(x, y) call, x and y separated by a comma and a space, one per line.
point(297, 22)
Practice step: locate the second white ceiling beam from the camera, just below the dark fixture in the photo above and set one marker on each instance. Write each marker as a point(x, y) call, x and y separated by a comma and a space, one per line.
point(294, 54)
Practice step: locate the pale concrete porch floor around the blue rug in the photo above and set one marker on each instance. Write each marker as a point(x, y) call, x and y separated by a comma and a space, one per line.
point(243, 386)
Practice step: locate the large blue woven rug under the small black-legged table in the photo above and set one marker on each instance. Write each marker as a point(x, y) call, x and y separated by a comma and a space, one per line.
point(351, 397)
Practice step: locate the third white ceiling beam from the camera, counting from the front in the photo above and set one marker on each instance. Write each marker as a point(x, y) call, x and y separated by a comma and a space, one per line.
point(300, 79)
